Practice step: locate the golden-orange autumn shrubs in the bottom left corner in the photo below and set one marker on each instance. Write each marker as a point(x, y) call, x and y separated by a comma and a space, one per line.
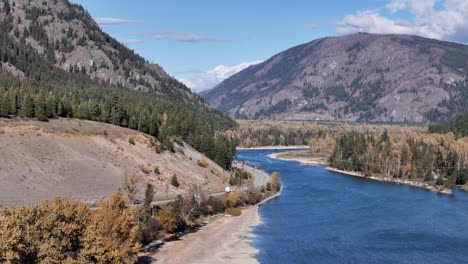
point(107, 235)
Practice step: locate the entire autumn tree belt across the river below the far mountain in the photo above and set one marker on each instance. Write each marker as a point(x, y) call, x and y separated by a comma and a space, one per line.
point(391, 151)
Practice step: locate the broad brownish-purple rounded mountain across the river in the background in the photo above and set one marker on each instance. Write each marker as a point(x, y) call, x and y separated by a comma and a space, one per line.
point(358, 77)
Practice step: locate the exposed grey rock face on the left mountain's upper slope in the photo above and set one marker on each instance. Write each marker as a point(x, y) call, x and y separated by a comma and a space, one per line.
point(65, 34)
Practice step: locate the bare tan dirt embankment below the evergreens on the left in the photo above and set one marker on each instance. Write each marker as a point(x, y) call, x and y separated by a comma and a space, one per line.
point(84, 160)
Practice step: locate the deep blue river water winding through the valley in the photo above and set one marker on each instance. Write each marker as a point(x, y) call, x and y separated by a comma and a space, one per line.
point(326, 217)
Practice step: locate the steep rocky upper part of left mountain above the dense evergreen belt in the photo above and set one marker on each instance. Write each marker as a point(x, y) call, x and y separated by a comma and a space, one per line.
point(37, 36)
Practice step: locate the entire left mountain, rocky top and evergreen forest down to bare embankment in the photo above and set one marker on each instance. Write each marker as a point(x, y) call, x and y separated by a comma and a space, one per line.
point(56, 62)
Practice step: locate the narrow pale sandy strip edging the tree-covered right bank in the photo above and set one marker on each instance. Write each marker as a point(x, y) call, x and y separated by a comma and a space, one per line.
point(305, 158)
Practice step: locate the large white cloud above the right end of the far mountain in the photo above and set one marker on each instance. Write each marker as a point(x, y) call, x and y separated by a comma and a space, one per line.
point(449, 22)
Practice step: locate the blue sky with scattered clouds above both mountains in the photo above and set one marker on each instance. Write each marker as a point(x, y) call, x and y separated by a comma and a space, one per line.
point(203, 42)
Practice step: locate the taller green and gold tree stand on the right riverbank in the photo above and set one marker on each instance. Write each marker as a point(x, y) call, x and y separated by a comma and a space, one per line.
point(437, 159)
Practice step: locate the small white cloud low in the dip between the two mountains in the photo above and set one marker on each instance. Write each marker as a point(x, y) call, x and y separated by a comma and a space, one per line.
point(202, 80)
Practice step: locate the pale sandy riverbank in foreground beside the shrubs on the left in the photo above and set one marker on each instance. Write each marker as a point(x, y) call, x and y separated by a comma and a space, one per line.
point(224, 240)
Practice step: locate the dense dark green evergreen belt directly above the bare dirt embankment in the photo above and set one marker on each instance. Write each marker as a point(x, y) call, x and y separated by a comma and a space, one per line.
point(148, 114)
